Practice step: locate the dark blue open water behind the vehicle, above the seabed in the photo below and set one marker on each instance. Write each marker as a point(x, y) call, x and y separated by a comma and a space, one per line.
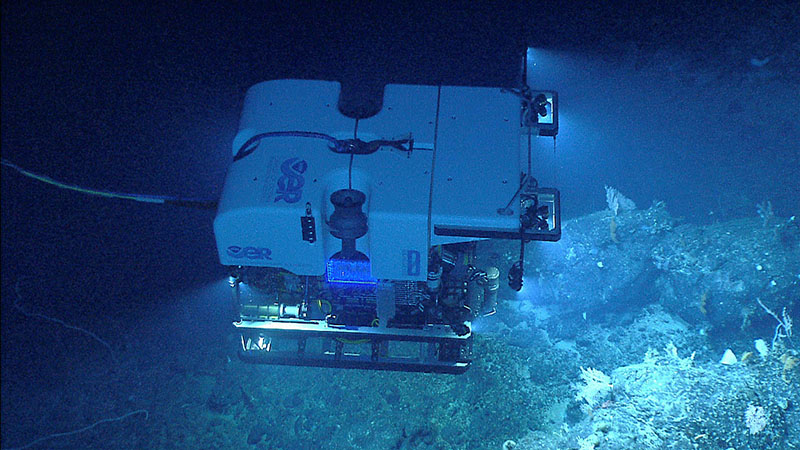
point(660, 101)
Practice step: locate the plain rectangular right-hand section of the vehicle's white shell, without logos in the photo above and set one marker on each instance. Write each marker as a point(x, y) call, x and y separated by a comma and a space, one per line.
point(477, 160)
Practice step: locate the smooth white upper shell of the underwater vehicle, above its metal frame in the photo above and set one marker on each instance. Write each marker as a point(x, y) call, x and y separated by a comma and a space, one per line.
point(476, 135)
